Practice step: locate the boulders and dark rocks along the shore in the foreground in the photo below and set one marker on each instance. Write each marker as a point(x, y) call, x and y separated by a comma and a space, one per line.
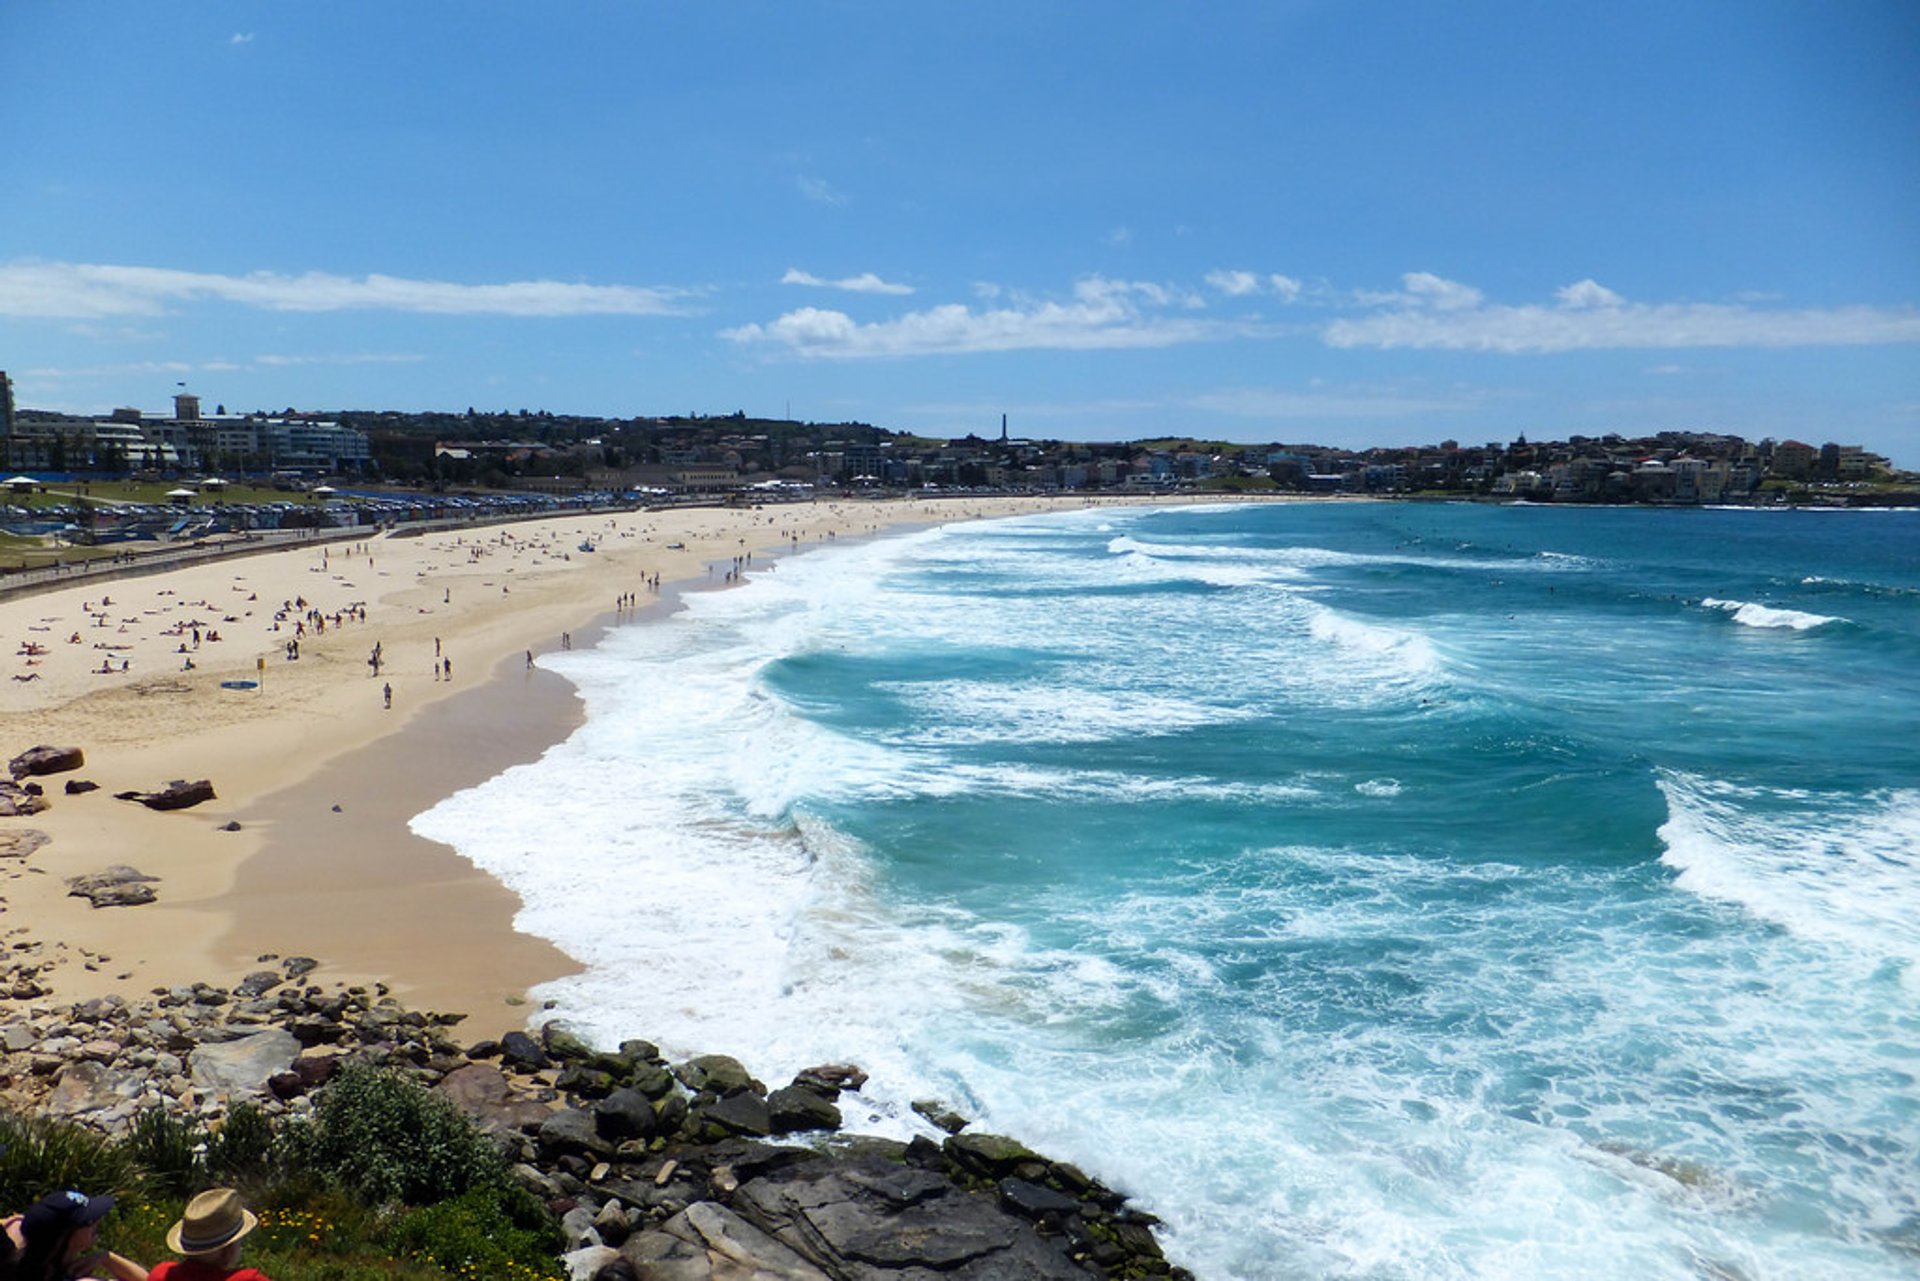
point(656, 1171)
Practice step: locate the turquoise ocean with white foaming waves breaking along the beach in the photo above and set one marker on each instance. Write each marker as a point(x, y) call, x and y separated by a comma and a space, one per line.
point(1372, 890)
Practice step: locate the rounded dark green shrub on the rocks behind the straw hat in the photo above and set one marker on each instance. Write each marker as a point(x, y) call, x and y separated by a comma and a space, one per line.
point(389, 1140)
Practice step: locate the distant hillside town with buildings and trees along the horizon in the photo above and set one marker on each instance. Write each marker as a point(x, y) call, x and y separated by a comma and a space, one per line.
point(562, 454)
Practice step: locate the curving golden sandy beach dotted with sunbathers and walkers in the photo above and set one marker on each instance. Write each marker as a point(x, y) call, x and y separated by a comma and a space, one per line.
point(310, 761)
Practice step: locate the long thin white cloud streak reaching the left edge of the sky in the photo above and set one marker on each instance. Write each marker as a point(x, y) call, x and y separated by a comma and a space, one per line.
point(91, 291)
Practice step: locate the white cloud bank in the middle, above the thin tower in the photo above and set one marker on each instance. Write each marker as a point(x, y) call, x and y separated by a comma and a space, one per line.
point(1103, 314)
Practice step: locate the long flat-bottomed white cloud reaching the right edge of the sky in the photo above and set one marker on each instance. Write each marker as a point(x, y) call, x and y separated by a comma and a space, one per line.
point(1437, 314)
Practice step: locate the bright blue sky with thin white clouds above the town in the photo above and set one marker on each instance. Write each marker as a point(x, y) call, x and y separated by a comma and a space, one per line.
point(1351, 224)
